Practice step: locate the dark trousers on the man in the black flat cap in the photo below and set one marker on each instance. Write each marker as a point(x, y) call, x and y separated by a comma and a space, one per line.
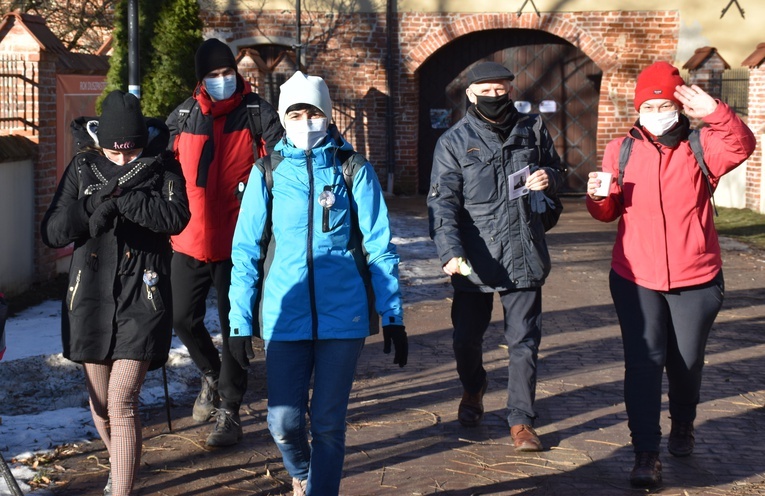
point(471, 315)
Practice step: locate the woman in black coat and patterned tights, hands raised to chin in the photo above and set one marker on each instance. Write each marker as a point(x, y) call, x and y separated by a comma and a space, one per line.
point(118, 202)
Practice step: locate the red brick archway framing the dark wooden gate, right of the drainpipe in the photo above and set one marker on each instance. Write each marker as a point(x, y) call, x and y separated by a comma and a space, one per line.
point(620, 43)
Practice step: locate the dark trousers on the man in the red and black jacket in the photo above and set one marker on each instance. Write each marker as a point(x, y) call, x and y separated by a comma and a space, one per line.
point(192, 280)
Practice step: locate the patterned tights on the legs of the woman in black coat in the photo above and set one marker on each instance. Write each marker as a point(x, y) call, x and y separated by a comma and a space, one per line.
point(113, 389)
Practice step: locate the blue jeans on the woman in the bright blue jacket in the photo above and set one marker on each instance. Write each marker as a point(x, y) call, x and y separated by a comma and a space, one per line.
point(289, 368)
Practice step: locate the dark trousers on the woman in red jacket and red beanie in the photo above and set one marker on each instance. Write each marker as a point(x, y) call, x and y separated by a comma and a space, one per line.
point(663, 330)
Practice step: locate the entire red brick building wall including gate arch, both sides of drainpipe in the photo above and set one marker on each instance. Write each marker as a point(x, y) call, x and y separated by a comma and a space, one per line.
point(348, 50)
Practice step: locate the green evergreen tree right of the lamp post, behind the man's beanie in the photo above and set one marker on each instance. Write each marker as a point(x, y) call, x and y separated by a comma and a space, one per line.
point(171, 78)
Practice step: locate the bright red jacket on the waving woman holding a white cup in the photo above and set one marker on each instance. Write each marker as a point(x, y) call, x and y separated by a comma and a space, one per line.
point(666, 237)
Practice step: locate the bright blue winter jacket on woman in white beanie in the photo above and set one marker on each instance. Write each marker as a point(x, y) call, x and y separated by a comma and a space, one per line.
point(312, 288)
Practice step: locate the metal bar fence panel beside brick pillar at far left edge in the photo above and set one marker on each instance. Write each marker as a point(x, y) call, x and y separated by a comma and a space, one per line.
point(19, 95)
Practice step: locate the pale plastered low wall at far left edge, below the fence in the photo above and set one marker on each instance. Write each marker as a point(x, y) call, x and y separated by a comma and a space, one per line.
point(16, 226)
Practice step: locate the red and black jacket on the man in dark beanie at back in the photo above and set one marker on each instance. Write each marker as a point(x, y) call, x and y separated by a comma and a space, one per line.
point(216, 153)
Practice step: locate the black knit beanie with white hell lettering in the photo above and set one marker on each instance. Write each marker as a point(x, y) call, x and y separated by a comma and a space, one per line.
point(121, 125)
